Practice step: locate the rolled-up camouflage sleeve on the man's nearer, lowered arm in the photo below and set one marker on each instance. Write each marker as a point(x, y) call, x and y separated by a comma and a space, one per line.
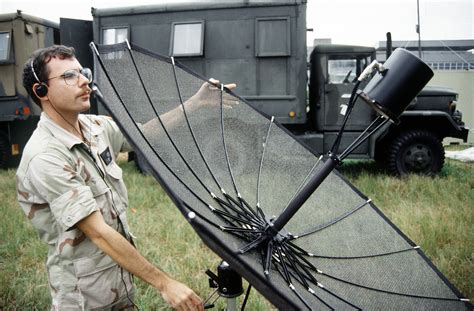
point(55, 180)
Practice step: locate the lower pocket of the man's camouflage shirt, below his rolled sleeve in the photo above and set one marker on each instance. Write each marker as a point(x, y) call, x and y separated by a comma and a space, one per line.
point(97, 280)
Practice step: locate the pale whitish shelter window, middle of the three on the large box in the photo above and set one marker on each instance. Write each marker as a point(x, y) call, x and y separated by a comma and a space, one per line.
point(187, 39)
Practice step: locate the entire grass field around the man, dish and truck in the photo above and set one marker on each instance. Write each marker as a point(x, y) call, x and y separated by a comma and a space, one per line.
point(437, 213)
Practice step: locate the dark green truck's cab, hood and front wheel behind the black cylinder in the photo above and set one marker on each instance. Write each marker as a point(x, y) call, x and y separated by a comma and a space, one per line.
point(414, 145)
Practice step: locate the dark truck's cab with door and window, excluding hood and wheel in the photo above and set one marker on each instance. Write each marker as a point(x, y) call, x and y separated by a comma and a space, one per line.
point(333, 71)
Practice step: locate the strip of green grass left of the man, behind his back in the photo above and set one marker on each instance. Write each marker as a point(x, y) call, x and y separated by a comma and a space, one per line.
point(23, 278)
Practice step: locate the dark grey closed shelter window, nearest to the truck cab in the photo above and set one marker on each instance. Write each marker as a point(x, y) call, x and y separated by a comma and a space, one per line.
point(272, 37)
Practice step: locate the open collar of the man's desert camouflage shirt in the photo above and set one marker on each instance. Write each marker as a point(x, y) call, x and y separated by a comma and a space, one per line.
point(89, 128)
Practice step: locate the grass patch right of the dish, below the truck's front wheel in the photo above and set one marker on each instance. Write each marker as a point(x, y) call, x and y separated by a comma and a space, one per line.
point(437, 213)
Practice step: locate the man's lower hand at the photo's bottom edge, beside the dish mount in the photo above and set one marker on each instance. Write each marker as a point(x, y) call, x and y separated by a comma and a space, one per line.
point(180, 297)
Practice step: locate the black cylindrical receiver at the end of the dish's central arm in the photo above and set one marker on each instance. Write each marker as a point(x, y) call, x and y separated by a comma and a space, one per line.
point(390, 92)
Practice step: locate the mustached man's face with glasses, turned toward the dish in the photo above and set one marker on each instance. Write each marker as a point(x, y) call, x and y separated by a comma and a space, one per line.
point(71, 98)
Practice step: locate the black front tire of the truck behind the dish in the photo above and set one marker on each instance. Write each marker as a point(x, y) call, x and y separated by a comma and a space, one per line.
point(416, 151)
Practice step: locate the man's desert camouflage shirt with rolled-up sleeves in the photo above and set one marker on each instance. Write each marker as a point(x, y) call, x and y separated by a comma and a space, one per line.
point(60, 181)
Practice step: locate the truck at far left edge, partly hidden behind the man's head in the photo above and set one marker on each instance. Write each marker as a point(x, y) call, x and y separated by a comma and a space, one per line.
point(20, 35)
